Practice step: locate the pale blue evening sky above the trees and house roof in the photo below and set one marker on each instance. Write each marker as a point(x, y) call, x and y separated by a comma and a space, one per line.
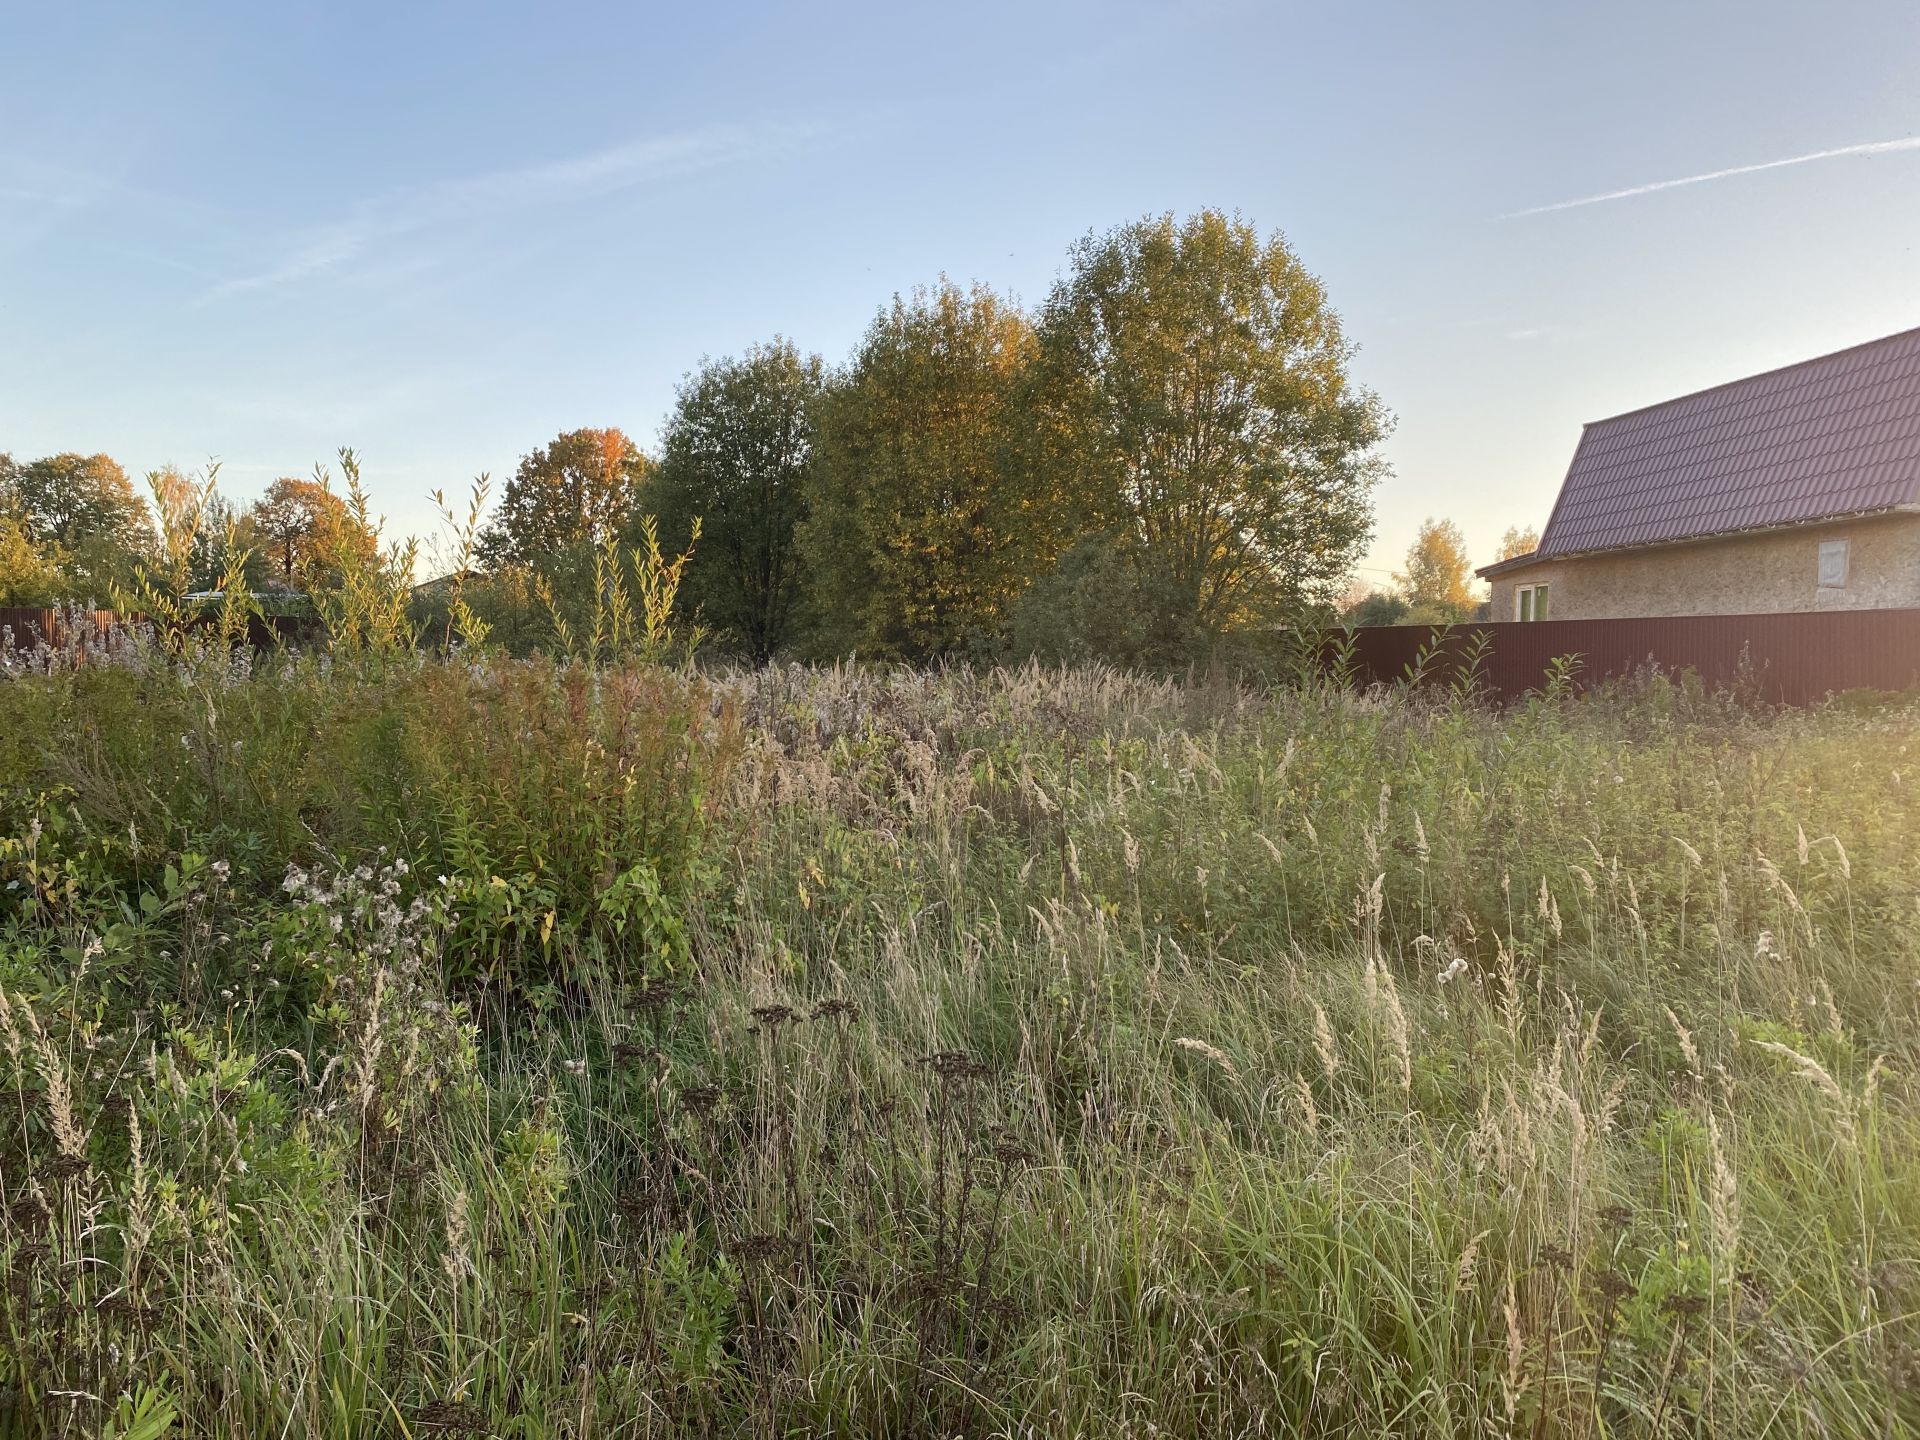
point(443, 233)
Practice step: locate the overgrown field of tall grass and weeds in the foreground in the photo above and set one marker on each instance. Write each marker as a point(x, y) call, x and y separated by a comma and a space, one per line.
point(404, 1047)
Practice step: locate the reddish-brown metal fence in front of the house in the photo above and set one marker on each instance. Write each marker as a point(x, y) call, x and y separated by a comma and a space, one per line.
point(1790, 660)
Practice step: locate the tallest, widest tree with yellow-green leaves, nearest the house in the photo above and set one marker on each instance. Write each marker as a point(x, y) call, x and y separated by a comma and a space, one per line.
point(1193, 393)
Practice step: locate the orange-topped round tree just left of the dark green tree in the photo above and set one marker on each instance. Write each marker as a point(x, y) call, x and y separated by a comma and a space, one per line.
point(573, 494)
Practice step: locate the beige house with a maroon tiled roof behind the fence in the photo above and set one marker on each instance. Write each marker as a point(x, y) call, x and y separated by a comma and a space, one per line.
point(1790, 491)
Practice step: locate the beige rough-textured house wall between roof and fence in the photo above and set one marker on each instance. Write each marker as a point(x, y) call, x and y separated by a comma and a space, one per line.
point(1742, 575)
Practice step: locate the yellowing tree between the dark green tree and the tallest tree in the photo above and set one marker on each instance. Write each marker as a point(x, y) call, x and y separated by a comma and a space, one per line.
point(923, 523)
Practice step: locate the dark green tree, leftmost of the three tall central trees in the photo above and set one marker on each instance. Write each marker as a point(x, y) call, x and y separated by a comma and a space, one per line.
point(738, 458)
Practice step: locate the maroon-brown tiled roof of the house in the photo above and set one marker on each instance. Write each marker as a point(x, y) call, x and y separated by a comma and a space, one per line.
point(1831, 437)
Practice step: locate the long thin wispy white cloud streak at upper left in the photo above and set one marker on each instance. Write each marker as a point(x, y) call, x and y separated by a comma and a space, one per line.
point(446, 204)
